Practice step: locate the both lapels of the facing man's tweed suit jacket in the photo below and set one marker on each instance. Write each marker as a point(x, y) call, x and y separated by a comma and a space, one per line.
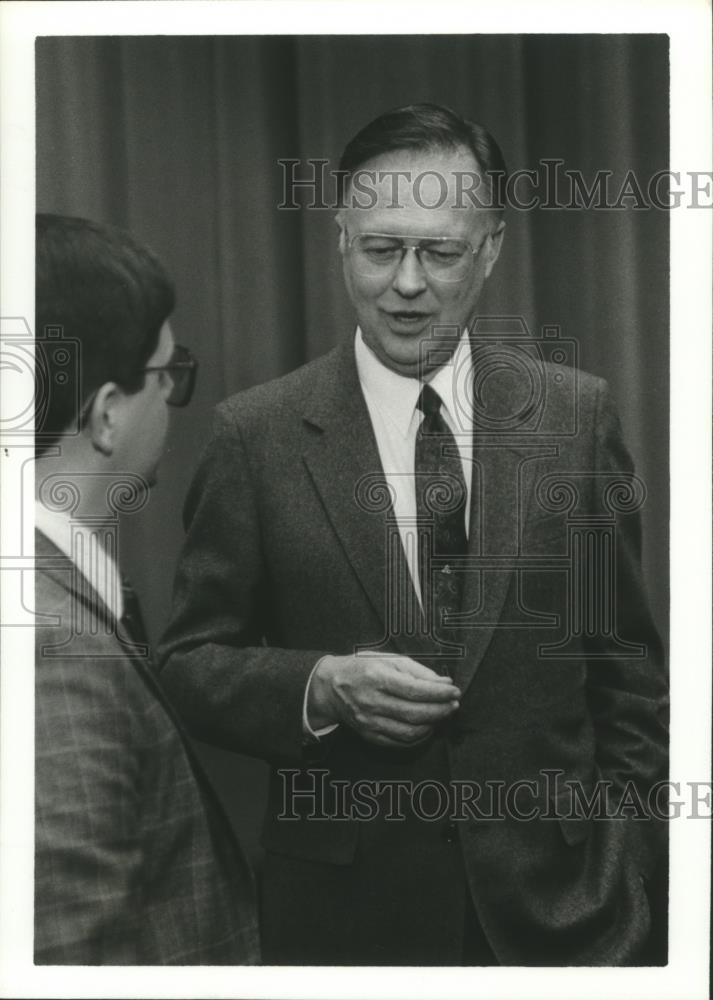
point(342, 457)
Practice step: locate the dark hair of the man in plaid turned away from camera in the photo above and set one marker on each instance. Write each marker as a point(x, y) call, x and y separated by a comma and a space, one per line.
point(105, 297)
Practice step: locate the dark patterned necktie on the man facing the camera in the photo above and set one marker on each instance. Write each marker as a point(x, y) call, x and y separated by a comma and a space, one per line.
point(441, 502)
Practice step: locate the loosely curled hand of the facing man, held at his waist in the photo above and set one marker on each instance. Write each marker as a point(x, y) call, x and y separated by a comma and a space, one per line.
point(389, 700)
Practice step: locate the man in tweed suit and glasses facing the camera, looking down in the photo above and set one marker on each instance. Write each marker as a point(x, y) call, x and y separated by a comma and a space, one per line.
point(411, 582)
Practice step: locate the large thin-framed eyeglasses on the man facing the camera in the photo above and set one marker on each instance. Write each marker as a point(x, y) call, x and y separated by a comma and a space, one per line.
point(443, 258)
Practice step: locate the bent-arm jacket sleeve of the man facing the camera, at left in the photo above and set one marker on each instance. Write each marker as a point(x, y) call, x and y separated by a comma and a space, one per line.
point(230, 687)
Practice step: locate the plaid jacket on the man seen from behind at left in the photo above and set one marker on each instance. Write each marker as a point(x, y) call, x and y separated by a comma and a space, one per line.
point(135, 862)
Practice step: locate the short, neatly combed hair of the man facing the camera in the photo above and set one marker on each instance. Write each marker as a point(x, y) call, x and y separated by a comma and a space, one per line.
point(426, 127)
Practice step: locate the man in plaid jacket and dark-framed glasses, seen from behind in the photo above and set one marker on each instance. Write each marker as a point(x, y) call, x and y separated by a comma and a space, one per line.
point(135, 862)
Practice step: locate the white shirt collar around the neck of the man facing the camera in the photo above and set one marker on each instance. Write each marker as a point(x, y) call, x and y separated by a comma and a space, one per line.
point(396, 395)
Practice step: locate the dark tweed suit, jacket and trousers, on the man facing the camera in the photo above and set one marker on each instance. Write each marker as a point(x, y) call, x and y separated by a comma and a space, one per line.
point(289, 556)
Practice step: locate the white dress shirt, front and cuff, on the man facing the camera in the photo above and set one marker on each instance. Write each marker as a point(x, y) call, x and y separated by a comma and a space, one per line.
point(391, 401)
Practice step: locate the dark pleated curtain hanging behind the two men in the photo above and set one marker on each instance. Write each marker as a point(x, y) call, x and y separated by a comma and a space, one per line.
point(178, 140)
